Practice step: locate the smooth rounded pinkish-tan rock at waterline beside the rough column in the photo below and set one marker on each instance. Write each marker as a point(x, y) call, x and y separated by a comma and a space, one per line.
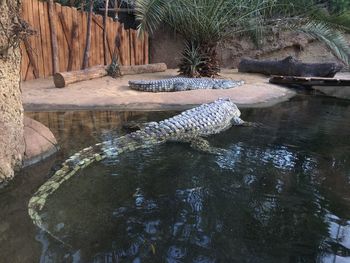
point(39, 142)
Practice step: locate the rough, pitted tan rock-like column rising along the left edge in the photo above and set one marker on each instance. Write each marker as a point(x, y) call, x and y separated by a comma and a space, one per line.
point(11, 114)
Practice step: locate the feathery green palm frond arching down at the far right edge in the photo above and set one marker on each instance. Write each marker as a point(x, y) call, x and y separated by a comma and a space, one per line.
point(334, 39)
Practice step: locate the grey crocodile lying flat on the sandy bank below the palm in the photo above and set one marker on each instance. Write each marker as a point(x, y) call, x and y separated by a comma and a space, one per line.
point(182, 84)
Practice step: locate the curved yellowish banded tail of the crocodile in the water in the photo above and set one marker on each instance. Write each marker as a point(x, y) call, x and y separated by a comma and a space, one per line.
point(69, 168)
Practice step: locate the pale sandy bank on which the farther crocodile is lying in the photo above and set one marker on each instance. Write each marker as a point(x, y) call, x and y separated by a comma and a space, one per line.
point(109, 93)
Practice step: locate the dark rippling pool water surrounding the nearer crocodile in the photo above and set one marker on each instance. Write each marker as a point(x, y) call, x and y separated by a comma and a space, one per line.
point(280, 194)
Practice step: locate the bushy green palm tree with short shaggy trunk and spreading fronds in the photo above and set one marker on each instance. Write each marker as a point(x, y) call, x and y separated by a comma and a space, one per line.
point(204, 23)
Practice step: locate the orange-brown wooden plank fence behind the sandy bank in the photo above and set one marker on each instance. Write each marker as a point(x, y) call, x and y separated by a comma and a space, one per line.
point(71, 27)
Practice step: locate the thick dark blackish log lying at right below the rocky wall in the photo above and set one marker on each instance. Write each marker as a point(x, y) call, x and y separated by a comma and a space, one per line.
point(289, 67)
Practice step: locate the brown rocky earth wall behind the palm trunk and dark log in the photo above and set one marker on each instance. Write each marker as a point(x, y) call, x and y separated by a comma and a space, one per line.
point(166, 46)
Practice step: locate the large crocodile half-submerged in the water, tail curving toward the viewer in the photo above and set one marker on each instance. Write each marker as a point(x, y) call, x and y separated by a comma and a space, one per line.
point(189, 126)
